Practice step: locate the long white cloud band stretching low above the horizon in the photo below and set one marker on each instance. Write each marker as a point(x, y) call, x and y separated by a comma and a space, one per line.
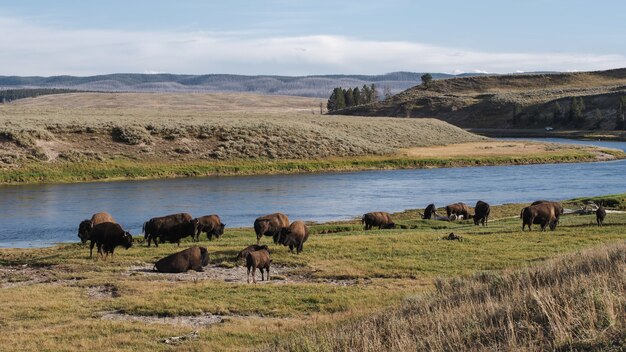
point(35, 50)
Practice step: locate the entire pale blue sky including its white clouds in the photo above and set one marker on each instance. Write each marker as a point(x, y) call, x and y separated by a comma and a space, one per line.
point(309, 37)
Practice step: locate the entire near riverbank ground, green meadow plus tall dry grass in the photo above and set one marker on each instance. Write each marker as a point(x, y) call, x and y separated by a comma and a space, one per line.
point(56, 297)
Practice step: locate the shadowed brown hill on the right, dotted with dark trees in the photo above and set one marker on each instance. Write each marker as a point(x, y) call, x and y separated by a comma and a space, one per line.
point(512, 101)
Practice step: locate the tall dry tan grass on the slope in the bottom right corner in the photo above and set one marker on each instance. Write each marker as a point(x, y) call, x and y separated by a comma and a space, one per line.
point(575, 302)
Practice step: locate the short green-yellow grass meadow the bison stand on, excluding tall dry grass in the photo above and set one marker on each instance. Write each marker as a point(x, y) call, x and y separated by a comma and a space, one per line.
point(57, 298)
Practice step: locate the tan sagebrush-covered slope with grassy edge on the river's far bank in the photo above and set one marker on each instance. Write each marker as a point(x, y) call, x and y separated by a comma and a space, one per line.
point(93, 136)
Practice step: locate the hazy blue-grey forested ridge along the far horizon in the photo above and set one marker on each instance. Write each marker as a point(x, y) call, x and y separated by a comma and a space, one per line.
point(308, 86)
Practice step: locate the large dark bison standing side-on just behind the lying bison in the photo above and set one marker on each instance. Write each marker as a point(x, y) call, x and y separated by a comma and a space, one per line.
point(171, 228)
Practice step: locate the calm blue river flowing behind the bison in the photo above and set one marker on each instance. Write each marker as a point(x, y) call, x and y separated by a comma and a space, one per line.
point(40, 215)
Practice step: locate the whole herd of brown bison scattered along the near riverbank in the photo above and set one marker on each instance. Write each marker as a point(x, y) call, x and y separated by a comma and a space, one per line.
point(103, 232)
